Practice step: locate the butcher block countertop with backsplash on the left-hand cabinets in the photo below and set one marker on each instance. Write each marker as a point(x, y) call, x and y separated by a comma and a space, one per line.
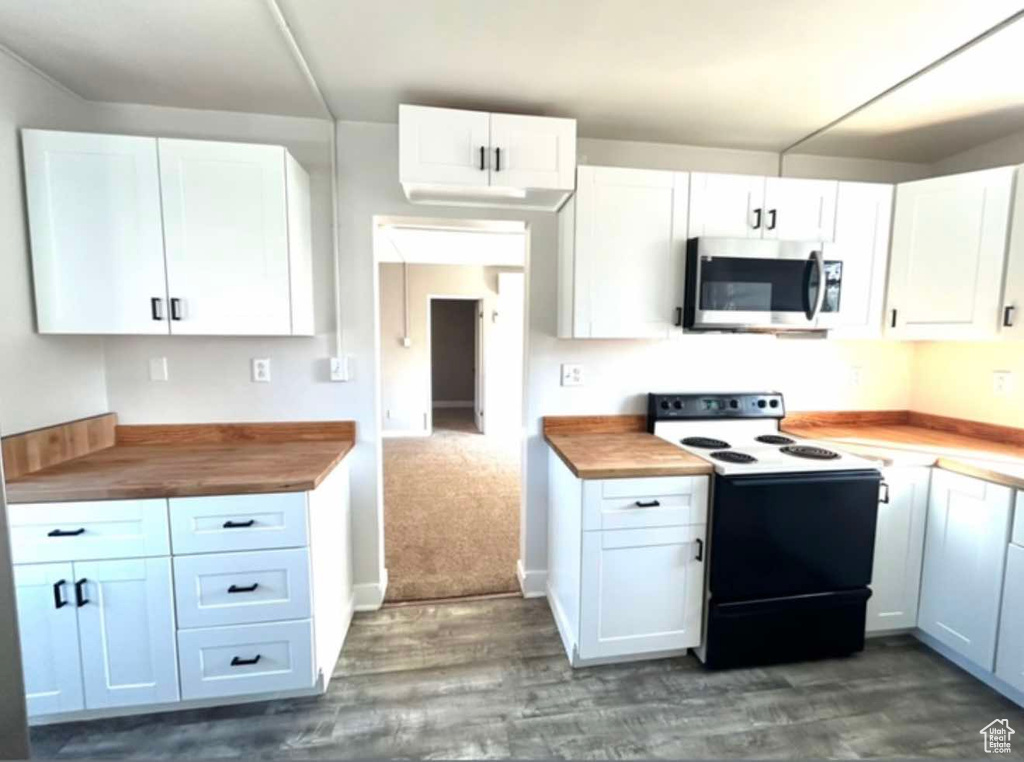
point(173, 461)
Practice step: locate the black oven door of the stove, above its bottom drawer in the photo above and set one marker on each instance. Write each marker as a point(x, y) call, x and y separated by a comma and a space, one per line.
point(798, 534)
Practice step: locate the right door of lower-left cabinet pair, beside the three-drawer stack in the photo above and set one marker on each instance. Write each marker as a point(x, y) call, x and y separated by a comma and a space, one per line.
point(126, 628)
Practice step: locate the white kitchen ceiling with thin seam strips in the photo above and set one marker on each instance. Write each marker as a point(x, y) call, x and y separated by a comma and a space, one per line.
point(731, 73)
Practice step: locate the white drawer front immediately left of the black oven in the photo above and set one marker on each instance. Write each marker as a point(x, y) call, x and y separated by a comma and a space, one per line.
point(637, 504)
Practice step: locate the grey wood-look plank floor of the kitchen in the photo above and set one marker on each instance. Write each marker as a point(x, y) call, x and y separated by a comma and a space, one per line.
point(489, 679)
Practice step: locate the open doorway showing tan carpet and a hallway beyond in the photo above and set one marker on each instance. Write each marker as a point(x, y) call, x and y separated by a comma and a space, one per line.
point(452, 349)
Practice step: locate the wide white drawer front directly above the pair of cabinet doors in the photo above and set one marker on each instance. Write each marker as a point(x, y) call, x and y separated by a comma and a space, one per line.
point(89, 532)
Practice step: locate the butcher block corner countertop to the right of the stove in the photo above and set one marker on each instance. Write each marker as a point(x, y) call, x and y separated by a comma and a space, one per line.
point(902, 438)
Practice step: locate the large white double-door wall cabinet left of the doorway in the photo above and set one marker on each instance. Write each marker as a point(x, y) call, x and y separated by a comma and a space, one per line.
point(155, 236)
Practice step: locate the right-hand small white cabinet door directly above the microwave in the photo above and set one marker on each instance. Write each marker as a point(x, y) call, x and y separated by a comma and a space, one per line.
point(800, 210)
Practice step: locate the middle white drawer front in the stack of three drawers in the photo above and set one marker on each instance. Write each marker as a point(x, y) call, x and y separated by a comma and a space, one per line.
point(242, 588)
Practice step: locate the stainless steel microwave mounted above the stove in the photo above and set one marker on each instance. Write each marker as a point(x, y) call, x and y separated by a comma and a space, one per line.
point(758, 285)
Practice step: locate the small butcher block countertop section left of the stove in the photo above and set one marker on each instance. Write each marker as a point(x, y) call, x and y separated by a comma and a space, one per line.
point(617, 447)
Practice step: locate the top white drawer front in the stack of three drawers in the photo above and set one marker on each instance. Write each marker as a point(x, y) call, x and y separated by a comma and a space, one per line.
point(238, 523)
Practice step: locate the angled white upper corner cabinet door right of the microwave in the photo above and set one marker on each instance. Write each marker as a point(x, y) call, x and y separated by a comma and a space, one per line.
point(950, 237)
